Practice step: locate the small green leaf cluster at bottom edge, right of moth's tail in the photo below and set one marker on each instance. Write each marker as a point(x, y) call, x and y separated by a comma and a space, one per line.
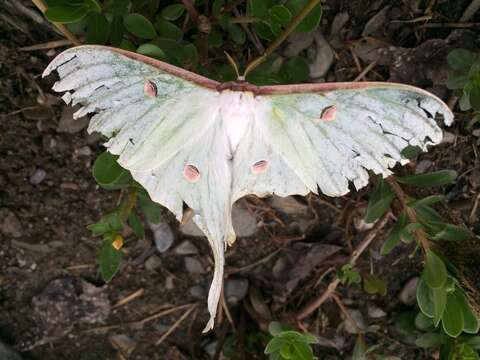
point(287, 344)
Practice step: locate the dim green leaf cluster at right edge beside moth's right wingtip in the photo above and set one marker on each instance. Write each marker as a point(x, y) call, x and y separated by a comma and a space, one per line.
point(465, 77)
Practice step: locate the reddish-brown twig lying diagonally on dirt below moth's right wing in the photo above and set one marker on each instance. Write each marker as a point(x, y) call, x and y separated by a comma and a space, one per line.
point(367, 240)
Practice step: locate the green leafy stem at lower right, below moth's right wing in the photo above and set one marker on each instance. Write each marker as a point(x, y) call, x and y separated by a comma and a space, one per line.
point(440, 297)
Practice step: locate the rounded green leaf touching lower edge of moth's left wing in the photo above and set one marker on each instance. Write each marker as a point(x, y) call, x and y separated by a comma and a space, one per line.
point(108, 174)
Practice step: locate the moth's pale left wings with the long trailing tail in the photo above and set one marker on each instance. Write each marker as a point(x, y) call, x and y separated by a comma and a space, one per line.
point(156, 137)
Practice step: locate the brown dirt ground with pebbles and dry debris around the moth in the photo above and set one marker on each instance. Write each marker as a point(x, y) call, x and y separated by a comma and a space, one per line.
point(48, 197)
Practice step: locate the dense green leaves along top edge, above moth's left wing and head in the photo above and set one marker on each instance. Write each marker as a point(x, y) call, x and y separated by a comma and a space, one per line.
point(169, 33)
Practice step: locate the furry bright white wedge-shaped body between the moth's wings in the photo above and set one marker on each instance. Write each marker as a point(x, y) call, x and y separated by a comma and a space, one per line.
point(236, 110)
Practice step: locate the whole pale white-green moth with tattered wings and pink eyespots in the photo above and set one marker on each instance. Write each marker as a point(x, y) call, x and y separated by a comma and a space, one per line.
point(189, 139)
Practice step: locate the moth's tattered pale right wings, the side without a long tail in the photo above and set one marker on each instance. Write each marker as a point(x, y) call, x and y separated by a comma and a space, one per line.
point(373, 124)
